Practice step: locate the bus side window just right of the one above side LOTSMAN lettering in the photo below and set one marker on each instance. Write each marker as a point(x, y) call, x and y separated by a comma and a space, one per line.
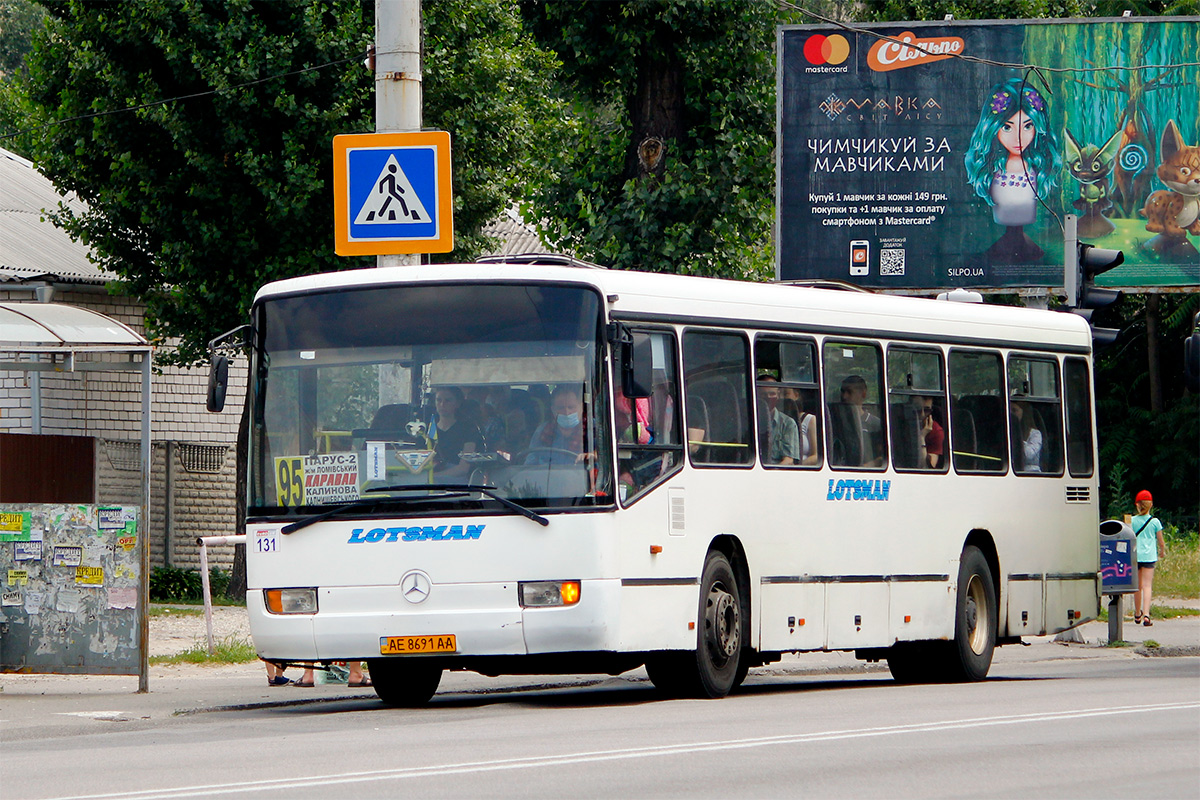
point(917, 410)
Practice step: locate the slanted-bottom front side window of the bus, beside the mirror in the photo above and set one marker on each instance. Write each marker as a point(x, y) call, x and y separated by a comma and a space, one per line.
point(649, 443)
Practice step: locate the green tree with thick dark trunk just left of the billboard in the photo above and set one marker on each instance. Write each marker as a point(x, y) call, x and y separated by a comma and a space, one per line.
point(668, 164)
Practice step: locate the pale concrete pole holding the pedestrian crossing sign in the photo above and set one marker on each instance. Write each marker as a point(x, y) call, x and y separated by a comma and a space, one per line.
point(398, 81)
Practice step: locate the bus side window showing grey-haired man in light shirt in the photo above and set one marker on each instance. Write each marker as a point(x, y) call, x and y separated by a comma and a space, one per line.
point(789, 426)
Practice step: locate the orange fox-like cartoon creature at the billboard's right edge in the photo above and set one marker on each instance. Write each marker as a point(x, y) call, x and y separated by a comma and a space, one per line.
point(1175, 213)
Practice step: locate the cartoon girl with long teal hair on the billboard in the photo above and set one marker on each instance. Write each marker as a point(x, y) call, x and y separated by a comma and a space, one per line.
point(1013, 163)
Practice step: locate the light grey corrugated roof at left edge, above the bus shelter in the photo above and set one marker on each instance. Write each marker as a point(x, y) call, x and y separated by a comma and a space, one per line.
point(33, 248)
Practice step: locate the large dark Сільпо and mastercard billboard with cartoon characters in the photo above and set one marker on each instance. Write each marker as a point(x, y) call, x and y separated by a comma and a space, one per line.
point(932, 159)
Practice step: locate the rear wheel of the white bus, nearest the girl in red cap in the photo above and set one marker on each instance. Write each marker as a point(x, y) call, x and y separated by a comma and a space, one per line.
point(975, 619)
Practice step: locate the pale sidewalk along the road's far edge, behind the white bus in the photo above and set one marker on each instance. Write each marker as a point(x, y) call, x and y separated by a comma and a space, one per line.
point(55, 706)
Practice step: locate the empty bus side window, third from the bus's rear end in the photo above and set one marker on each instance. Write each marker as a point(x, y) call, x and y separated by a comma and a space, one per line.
point(979, 431)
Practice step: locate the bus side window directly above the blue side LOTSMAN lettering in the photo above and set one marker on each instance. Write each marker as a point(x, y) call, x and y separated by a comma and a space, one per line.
point(854, 386)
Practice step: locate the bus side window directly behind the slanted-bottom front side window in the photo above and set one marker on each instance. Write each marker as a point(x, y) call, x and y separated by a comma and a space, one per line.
point(717, 376)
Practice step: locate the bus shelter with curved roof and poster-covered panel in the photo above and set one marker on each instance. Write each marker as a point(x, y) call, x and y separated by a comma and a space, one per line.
point(76, 575)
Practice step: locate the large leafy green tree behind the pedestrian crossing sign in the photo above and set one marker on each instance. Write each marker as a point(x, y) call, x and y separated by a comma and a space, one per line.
point(197, 202)
